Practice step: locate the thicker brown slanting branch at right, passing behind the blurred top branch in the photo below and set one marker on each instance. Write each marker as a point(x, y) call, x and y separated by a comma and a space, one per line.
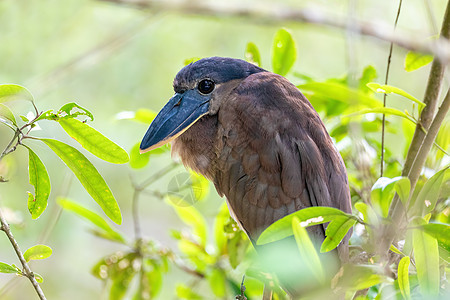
point(431, 99)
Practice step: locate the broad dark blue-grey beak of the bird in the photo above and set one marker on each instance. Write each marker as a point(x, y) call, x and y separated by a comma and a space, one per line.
point(180, 113)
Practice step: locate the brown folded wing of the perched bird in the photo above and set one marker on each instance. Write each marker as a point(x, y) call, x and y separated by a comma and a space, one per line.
point(274, 155)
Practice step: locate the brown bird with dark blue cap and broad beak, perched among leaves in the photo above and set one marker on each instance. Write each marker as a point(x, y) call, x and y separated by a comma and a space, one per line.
point(257, 138)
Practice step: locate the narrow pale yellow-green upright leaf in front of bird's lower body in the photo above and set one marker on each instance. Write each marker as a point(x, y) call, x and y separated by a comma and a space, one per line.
point(308, 253)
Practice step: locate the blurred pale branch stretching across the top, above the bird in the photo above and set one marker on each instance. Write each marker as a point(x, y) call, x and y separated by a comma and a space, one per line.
point(275, 14)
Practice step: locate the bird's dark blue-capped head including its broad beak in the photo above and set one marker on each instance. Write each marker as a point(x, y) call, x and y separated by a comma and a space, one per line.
point(199, 88)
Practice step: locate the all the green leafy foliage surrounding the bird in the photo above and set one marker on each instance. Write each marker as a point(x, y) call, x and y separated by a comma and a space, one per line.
point(415, 267)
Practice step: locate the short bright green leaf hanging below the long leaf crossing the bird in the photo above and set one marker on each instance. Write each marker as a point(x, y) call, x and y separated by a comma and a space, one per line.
point(336, 231)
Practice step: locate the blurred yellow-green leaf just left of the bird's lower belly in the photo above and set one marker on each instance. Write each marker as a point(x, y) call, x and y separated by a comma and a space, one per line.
point(191, 216)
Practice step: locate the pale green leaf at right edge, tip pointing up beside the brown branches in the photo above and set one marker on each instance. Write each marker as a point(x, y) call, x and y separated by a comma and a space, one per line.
point(428, 195)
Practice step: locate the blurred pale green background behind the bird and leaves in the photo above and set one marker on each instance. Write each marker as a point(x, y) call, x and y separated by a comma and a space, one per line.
point(111, 58)
